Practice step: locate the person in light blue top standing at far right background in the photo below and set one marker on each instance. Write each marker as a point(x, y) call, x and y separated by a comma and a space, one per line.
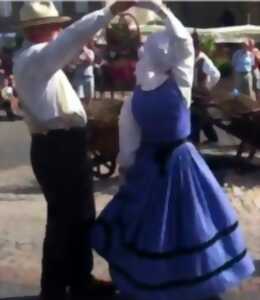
point(243, 62)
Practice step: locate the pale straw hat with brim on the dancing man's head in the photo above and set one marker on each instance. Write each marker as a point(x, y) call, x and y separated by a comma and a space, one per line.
point(37, 13)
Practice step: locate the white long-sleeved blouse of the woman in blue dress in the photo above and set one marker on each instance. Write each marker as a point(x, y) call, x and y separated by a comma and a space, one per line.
point(170, 51)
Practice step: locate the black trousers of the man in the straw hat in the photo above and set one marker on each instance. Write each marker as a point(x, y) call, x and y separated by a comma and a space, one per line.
point(63, 171)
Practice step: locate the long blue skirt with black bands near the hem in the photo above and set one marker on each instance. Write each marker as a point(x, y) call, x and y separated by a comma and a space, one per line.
point(173, 234)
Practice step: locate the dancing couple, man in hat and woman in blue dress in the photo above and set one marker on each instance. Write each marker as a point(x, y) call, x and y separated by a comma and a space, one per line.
point(170, 231)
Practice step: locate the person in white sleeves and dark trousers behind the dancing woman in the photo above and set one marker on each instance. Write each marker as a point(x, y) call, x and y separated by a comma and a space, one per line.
point(206, 76)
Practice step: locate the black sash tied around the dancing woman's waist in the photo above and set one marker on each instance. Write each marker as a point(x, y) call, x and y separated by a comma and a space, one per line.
point(164, 151)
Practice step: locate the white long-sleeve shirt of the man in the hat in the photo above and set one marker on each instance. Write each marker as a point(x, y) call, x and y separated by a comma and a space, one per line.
point(41, 83)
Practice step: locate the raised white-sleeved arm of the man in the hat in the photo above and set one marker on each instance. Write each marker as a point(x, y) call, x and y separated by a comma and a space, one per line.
point(67, 45)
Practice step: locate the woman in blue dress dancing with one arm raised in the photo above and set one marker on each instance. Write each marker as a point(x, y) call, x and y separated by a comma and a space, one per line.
point(170, 231)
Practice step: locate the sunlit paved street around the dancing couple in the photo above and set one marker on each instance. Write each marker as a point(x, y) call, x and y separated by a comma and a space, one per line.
point(22, 219)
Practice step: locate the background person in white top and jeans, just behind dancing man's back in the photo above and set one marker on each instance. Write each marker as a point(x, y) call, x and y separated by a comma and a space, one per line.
point(83, 79)
